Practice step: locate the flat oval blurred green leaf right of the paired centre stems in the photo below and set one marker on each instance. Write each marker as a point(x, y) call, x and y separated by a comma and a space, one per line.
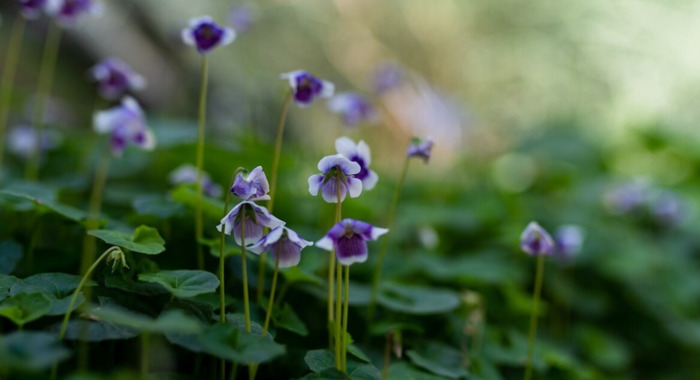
point(417, 299)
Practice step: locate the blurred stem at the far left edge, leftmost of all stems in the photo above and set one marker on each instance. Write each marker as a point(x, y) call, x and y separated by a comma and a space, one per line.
point(8, 75)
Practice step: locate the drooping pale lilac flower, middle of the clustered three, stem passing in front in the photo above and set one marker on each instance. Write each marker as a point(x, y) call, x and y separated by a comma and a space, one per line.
point(256, 218)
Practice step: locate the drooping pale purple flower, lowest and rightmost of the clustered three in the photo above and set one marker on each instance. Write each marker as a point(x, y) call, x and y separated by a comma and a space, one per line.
point(283, 242)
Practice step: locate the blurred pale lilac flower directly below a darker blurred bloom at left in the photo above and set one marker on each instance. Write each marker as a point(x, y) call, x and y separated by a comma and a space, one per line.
point(127, 125)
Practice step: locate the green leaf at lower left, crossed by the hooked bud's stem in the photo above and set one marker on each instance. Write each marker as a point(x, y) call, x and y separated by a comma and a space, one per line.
point(58, 287)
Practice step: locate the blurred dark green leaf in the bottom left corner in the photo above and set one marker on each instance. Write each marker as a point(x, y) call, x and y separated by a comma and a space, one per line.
point(30, 351)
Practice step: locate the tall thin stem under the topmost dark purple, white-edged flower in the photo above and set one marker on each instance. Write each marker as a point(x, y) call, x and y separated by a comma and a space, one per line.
point(198, 224)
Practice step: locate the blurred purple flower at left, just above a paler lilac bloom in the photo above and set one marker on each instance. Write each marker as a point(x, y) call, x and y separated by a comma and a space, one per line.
point(115, 78)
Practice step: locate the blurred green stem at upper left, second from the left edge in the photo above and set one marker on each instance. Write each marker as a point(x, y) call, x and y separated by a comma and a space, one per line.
point(48, 64)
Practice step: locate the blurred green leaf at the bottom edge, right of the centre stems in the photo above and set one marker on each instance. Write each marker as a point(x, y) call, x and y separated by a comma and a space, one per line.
point(440, 359)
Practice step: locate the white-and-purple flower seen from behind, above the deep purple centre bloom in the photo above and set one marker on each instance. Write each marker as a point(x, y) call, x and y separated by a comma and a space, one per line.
point(337, 179)
